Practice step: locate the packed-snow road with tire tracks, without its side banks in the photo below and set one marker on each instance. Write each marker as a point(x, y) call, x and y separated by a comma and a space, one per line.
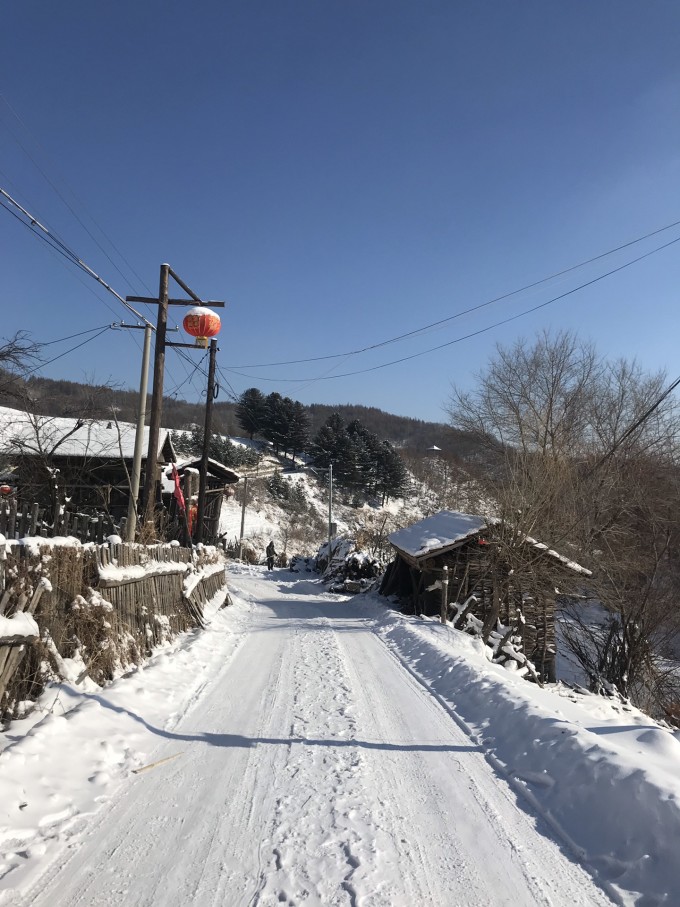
point(314, 769)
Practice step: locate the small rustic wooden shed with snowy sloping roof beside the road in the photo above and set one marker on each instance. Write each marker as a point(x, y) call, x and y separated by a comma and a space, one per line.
point(501, 574)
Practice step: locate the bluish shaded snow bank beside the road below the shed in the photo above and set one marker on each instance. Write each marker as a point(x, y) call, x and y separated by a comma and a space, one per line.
point(604, 776)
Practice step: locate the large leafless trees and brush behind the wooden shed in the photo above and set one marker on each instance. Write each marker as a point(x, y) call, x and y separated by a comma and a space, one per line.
point(563, 466)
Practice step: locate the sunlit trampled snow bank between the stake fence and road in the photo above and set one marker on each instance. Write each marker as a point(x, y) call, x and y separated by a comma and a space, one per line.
point(82, 742)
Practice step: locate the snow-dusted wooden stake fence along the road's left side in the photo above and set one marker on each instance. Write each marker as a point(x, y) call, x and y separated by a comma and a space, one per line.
point(103, 607)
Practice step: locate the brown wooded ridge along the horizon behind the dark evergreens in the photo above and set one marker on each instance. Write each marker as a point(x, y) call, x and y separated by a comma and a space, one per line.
point(71, 398)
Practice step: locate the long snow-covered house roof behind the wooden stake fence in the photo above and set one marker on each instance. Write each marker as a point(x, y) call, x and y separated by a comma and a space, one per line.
point(98, 438)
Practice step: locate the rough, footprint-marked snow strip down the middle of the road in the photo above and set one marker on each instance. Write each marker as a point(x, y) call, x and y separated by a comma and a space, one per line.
point(320, 829)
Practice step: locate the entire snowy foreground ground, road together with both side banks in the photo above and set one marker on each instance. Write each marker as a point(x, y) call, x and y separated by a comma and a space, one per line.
point(310, 749)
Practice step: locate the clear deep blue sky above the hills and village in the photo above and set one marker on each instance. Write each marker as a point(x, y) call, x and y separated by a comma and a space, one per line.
point(342, 173)
